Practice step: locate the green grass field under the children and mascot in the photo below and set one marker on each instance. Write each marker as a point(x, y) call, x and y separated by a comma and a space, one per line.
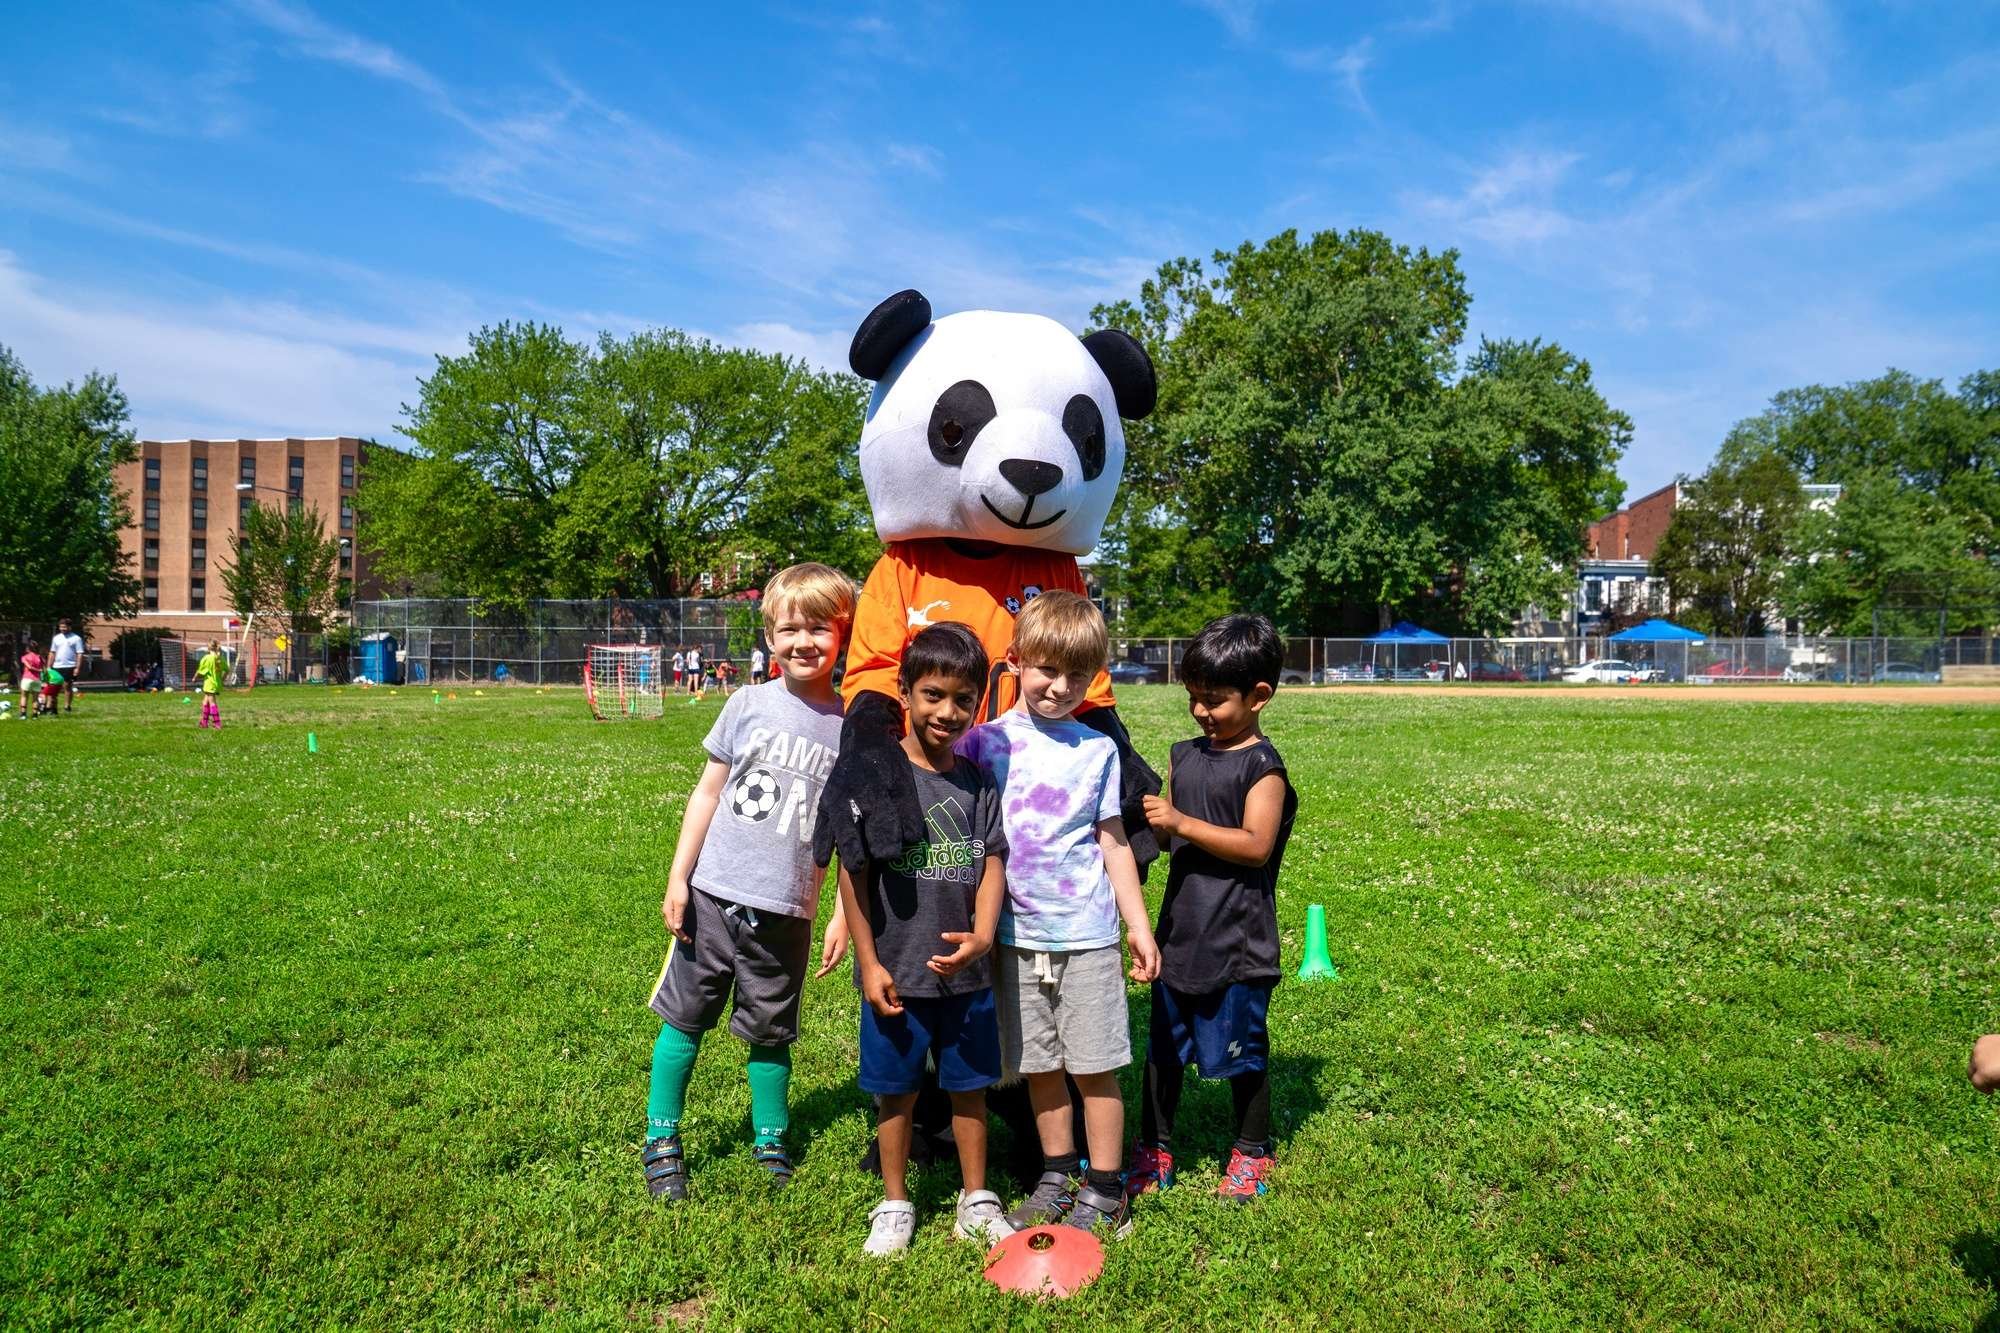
point(1651, 1012)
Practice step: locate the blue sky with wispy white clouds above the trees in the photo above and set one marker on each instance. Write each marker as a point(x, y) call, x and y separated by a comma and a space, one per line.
point(267, 217)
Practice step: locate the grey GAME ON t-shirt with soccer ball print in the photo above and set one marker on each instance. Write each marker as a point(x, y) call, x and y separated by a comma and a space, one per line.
point(759, 846)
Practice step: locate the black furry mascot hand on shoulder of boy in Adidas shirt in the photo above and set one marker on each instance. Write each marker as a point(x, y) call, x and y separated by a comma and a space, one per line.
point(869, 806)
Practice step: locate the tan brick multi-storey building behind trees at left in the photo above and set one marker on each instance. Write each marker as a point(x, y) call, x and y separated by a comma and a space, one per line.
point(189, 499)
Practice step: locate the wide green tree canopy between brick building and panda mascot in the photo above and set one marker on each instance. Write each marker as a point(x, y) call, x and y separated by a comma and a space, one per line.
point(549, 467)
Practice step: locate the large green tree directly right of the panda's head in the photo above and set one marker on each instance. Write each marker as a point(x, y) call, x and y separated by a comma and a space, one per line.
point(1317, 453)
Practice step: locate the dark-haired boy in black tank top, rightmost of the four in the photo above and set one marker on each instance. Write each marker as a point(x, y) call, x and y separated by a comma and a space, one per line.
point(1227, 822)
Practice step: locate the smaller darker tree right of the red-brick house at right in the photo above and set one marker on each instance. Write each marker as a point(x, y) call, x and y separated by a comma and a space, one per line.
point(1725, 553)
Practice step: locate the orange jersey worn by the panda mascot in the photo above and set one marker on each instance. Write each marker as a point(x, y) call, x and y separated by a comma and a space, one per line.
point(931, 581)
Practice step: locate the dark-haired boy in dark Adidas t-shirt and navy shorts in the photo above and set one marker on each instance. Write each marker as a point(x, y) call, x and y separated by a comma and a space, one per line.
point(941, 894)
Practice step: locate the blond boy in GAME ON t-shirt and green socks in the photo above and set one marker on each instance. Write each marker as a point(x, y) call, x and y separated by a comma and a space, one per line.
point(743, 892)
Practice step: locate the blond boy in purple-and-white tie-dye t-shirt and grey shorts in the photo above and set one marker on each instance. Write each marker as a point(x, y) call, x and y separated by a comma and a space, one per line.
point(1069, 880)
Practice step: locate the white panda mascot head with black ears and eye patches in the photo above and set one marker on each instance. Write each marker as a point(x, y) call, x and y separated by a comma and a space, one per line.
point(995, 427)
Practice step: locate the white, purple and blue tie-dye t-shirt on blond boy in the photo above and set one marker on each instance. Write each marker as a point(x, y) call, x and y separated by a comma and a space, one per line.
point(1057, 784)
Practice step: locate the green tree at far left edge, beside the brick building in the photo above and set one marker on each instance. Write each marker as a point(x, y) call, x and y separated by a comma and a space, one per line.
point(61, 509)
